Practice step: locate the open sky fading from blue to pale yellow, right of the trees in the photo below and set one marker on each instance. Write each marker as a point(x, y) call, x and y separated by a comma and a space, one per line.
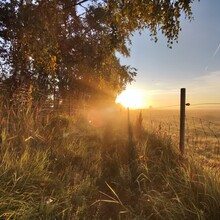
point(193, 63)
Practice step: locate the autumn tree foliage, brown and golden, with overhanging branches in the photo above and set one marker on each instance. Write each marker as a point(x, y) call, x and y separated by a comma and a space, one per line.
point(68, 47)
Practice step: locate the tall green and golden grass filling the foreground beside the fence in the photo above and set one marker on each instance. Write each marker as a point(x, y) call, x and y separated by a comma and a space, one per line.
point(81, 167)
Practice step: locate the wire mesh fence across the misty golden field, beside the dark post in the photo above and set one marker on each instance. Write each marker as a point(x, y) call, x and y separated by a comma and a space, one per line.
point(202, 132)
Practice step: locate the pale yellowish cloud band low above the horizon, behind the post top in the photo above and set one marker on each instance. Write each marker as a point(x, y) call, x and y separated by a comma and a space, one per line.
point(202, 89)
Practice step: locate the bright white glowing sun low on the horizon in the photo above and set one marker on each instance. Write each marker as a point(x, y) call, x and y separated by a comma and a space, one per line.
point(131, 98)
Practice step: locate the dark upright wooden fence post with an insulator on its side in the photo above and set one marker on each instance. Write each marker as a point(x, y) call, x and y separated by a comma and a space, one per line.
point(182, 118)
